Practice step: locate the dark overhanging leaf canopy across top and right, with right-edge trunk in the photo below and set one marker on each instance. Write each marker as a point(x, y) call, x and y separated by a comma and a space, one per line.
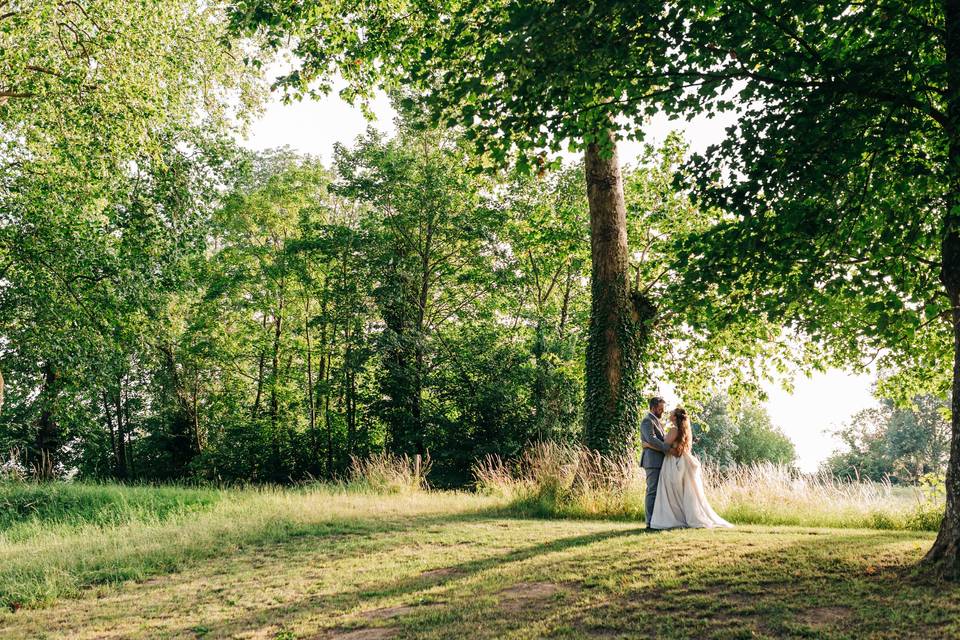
point(841, 179)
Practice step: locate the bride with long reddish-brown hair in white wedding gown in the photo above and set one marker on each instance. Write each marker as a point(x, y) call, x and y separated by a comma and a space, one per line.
point(681, 501)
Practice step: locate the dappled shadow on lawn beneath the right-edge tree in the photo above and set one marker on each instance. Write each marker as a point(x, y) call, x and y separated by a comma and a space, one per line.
point(830, 585)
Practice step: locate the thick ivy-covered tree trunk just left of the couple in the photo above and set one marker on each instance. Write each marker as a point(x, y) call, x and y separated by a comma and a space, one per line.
point(612, 350)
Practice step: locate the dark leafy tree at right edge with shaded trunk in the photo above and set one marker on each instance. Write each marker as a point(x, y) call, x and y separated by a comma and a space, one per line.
point(841, 181)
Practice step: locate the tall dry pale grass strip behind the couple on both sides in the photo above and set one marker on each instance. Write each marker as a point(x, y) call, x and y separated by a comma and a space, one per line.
point(557, 480)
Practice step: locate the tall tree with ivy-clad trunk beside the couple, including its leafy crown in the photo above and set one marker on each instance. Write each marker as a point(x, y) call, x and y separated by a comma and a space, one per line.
point(525, 79)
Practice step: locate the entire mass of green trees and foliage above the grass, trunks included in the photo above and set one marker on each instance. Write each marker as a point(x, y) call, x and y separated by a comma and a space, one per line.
point(173, 306)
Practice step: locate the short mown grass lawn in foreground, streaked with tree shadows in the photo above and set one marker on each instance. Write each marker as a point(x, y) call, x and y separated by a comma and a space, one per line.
point(454, 566)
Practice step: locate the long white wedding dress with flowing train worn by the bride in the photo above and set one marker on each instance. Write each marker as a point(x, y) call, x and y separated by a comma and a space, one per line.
point(681, 501)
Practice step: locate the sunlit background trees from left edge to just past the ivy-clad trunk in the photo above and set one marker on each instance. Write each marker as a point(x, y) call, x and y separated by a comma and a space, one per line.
point(174, 306)
